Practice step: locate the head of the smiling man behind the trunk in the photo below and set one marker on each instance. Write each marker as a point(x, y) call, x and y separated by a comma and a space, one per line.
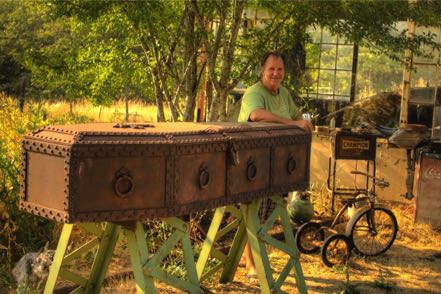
point(273, 73)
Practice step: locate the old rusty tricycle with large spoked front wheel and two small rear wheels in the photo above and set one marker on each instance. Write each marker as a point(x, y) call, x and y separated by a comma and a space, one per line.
point(370, 230)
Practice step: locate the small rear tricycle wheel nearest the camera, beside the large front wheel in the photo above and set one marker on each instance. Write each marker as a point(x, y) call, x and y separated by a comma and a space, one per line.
point(335, 250)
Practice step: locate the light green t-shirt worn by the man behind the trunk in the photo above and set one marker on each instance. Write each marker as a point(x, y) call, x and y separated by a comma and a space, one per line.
point(257, 97)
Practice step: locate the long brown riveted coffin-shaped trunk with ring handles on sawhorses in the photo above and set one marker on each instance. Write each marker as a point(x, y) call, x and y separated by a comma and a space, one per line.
point(106, 172)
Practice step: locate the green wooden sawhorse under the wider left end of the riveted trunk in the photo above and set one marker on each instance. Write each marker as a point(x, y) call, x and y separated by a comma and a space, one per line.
point(145, 267)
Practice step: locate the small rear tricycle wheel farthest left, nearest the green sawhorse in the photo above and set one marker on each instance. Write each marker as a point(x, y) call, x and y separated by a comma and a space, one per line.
point(308, 236)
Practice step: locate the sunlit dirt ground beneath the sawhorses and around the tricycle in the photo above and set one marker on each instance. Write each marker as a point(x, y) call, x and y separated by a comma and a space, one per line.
point(411, 265)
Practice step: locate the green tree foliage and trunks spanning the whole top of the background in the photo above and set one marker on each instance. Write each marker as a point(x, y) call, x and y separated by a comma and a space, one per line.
point(102, 50)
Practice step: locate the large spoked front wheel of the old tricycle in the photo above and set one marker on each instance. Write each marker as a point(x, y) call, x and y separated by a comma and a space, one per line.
point(374, 233)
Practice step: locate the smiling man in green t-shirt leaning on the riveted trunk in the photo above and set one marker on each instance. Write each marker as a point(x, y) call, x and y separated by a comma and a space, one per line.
point(269, 101)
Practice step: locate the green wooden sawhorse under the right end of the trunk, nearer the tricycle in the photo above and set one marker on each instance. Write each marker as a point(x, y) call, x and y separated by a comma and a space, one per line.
point(248, 228)
